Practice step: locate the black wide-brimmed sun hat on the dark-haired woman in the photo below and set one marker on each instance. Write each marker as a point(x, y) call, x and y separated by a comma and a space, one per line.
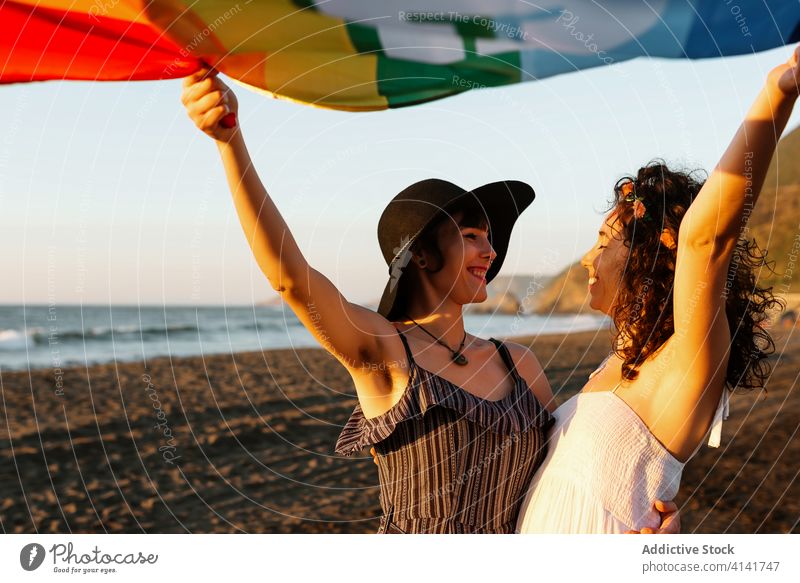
point(408, 213)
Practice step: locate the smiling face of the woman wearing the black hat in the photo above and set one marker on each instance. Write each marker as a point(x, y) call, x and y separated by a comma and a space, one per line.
point(465, 254)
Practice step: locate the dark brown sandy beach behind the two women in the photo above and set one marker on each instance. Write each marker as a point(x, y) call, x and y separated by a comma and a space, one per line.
point(244, 443)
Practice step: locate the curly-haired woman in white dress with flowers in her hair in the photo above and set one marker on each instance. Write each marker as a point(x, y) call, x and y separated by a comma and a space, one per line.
point(674, 271)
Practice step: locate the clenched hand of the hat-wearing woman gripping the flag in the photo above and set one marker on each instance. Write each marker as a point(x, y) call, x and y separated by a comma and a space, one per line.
point(208, 100)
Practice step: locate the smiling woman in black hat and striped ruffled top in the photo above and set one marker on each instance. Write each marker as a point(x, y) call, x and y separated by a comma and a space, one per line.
point(458, 423)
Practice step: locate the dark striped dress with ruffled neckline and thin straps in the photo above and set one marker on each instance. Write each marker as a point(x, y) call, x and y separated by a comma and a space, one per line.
point(448, 461)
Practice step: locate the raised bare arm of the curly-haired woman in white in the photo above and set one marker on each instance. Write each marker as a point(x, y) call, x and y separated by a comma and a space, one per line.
point(708, 236)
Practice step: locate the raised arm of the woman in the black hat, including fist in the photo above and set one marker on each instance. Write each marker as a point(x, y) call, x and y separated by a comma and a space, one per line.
point(348, 331)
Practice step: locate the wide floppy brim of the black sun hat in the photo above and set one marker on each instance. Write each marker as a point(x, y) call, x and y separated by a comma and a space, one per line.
point(503, 203)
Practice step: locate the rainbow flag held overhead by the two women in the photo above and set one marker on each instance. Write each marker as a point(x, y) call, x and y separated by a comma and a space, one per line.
point(362, 55)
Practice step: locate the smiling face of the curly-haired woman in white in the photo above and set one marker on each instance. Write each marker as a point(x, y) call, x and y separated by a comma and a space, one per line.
point(605, 263)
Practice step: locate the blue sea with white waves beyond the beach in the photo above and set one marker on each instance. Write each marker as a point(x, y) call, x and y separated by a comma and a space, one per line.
point(60, 336)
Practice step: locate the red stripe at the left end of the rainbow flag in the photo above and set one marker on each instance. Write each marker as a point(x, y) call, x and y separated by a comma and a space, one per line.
point(37, 44)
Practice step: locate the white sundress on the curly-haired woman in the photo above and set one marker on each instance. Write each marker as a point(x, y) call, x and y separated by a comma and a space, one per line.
point(604, 469)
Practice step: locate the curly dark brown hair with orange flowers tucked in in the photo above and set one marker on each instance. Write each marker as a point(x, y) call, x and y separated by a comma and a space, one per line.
point(649, 274)
